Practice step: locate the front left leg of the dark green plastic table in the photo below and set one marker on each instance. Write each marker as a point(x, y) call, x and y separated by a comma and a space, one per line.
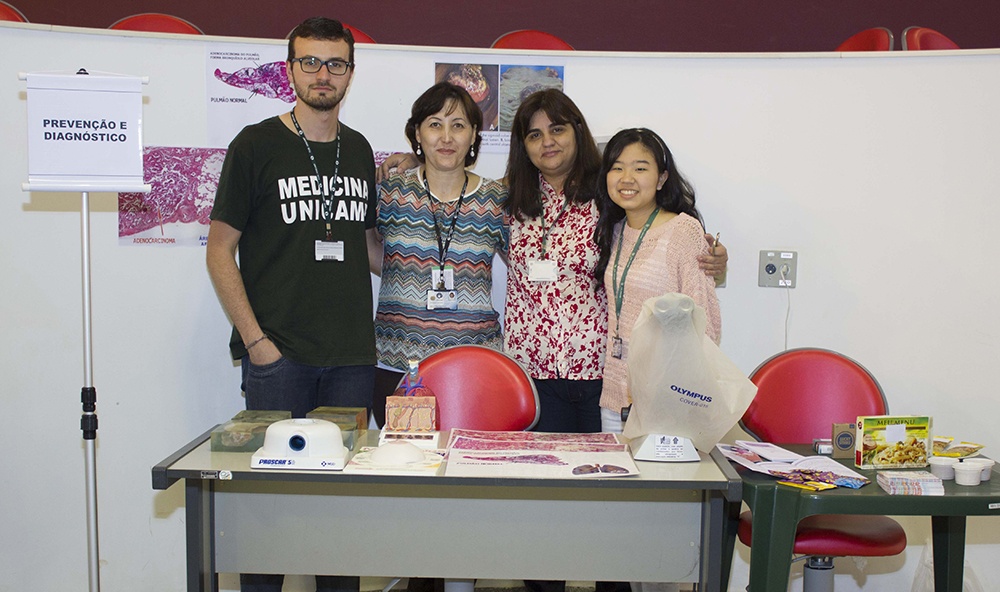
point(775, 517)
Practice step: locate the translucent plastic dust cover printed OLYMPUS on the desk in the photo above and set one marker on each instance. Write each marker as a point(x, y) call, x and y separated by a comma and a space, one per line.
point(680, 381)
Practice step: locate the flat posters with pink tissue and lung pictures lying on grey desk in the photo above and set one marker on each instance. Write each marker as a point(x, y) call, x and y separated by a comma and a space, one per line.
point(536, 454)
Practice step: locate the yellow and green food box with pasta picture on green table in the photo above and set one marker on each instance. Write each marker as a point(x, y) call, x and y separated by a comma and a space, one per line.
point(892, 441)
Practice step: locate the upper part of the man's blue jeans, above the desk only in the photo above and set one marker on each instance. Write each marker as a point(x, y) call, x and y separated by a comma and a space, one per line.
point(290, 386)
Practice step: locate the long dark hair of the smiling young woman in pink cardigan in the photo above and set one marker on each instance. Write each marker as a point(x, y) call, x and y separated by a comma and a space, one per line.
point(675, 196)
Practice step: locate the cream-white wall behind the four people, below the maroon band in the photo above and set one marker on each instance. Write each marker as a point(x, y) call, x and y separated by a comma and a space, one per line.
point(881, 171)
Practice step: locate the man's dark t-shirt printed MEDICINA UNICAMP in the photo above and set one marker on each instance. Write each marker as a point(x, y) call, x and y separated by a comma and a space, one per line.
point(317, 312)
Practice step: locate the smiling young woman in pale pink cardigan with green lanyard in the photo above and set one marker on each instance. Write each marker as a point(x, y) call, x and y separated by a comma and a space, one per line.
point(650, 235)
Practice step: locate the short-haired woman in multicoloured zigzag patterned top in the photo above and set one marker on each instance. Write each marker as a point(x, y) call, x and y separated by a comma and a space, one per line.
point(439, 227)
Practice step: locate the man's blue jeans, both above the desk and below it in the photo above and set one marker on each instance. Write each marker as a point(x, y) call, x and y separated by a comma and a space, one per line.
point(289, 385)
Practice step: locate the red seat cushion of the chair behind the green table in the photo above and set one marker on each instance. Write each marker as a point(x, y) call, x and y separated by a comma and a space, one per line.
point(846, 535)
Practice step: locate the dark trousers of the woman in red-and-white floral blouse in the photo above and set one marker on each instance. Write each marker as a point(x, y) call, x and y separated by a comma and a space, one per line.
point(570, 406)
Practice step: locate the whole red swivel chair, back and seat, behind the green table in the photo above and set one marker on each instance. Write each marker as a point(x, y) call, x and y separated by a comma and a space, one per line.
point(801, 393)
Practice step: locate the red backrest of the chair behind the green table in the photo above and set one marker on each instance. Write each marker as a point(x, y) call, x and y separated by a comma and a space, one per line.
point(801, 393)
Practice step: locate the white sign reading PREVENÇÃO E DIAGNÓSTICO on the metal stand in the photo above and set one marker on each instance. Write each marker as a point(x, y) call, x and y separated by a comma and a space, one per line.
point(84, 132)
